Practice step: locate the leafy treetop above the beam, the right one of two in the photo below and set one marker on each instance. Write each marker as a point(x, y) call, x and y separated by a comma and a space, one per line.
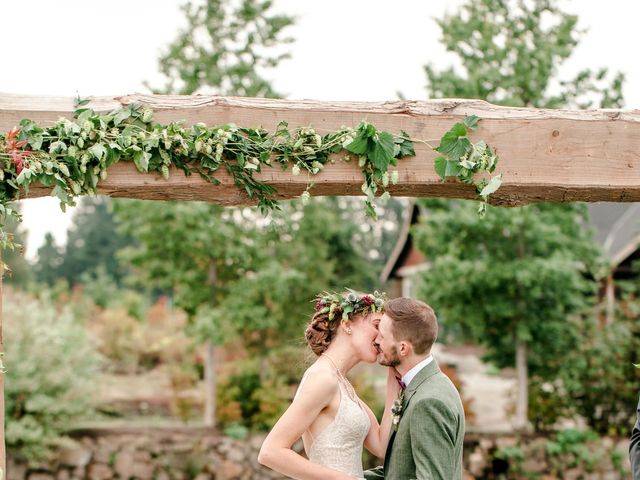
point(510, 52)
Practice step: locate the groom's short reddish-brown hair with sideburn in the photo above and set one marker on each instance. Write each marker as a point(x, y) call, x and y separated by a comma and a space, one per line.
point(414, 322)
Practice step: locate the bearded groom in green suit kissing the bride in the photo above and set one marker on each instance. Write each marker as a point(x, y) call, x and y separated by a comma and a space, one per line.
point(426, 442)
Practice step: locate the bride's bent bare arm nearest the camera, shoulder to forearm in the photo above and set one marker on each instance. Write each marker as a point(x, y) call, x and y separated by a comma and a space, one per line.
point(276, 453)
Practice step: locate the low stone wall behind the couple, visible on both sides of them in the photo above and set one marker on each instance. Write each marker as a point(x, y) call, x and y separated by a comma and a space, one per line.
point(203, 454)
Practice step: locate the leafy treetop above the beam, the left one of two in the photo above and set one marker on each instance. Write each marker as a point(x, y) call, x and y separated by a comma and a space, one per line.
point(226, 47)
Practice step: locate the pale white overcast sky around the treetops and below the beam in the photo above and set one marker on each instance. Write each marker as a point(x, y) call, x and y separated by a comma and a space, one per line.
point(344, 50)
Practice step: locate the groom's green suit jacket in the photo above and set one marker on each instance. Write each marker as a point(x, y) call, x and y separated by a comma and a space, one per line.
point(428, 442)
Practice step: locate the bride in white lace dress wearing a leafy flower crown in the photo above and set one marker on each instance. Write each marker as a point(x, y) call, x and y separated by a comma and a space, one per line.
point(326, 412)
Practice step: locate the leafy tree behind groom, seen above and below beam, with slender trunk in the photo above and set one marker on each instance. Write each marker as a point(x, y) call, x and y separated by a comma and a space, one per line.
point(513, 280)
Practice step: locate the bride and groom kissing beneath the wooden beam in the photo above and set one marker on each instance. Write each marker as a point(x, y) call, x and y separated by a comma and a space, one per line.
point(421, 432)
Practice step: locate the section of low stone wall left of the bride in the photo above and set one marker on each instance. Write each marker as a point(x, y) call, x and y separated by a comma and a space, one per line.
point(159, 454)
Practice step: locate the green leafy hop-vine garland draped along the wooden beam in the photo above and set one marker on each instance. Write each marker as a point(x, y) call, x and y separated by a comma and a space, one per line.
point(72, 156)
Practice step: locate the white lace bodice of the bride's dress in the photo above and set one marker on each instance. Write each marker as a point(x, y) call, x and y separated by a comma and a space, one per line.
point(339, 445)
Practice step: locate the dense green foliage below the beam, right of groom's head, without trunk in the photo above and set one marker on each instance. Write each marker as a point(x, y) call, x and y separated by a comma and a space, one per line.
point(516, 275)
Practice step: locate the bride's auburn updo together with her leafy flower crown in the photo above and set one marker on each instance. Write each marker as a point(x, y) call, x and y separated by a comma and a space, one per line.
point(334, 308)
